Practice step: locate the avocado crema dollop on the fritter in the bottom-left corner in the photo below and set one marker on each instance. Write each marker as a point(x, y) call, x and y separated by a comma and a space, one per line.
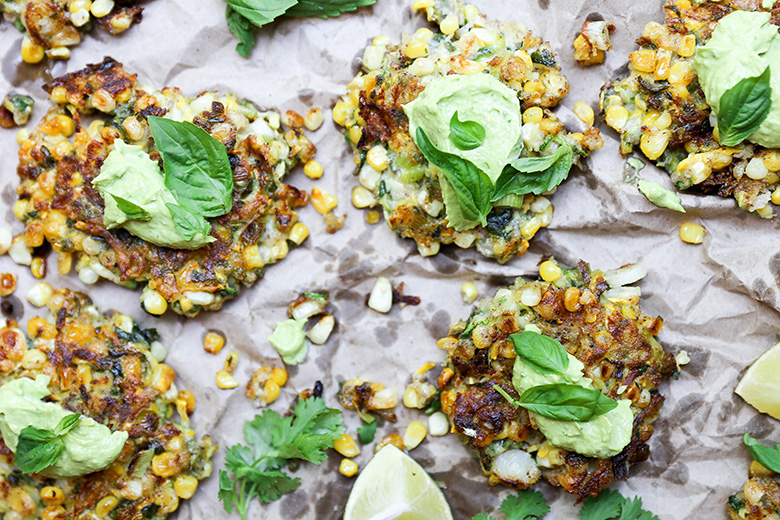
point(89, 447)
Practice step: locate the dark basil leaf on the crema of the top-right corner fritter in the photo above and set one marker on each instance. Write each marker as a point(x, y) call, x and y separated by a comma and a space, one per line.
point(743, 108)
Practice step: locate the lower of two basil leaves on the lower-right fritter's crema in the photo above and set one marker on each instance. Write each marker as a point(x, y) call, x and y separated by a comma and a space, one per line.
point(566, 402)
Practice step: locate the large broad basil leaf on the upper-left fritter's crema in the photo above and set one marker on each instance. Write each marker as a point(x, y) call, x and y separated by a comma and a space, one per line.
point(197, 168)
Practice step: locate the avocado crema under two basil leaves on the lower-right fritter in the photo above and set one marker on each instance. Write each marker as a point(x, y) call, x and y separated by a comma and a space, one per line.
point(604, 436)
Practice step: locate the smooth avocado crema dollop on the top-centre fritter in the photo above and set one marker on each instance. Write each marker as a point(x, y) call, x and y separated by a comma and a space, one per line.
point(477, 97)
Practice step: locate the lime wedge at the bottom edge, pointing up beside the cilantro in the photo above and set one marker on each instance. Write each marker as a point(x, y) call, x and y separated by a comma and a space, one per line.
point(393, 486)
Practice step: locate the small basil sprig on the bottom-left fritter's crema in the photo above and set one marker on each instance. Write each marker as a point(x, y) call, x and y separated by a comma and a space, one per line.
point(39, 449)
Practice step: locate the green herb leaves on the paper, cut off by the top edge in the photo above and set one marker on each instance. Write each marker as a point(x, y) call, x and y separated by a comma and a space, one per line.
point(242, 15)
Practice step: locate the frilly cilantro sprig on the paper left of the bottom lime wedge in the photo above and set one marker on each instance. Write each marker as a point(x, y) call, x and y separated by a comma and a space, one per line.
point(255, 471)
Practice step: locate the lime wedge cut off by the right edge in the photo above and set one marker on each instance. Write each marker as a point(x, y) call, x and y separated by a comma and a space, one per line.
point(760, 386)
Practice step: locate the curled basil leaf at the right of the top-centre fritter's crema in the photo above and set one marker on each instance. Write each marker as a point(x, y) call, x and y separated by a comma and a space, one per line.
point(549, 172)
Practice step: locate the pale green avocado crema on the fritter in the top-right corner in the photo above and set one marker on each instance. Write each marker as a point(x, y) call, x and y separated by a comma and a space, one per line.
point(742, 45)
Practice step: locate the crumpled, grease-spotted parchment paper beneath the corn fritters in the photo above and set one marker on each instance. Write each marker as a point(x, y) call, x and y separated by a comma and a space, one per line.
point(719, 300)
